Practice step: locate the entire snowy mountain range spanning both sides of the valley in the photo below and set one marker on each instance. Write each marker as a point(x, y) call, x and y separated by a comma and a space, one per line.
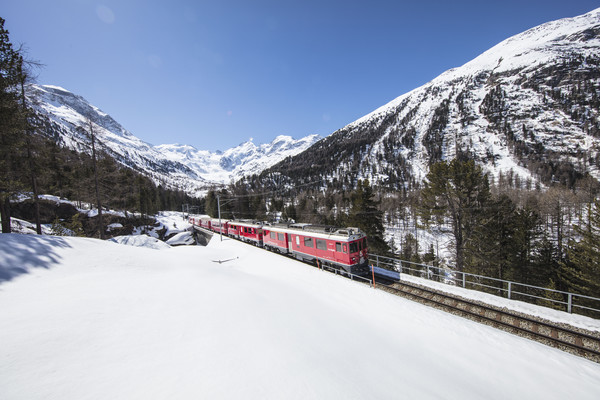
point(527, 109)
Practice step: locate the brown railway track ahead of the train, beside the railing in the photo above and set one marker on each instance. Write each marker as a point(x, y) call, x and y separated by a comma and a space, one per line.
point(567, 338)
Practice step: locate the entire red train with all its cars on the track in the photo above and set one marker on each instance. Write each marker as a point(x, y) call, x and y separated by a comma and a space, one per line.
point(344, 248)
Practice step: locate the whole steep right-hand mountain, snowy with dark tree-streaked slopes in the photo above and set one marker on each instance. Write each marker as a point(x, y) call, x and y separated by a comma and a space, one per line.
point(527, 108)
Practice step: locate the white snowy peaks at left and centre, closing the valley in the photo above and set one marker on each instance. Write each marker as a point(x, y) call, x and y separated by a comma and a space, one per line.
point(63, 116)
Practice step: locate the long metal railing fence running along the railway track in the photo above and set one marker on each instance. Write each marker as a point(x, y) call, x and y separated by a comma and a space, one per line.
point(556, 299)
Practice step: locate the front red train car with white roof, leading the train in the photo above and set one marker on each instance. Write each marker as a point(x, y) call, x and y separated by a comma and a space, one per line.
point(342, 248)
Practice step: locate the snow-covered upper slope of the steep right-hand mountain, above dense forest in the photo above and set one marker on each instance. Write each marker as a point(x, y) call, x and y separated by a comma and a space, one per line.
point(503, 75)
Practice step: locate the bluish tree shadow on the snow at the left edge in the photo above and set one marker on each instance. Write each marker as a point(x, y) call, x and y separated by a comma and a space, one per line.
point(21, 253)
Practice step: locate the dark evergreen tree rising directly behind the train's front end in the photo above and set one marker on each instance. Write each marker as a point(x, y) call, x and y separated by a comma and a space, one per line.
point(365, 214)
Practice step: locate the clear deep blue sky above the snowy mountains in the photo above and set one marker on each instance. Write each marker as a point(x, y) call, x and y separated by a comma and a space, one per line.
point(215, 73)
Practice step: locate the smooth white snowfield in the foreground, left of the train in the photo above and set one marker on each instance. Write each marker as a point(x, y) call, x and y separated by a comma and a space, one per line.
point(86, 319)
